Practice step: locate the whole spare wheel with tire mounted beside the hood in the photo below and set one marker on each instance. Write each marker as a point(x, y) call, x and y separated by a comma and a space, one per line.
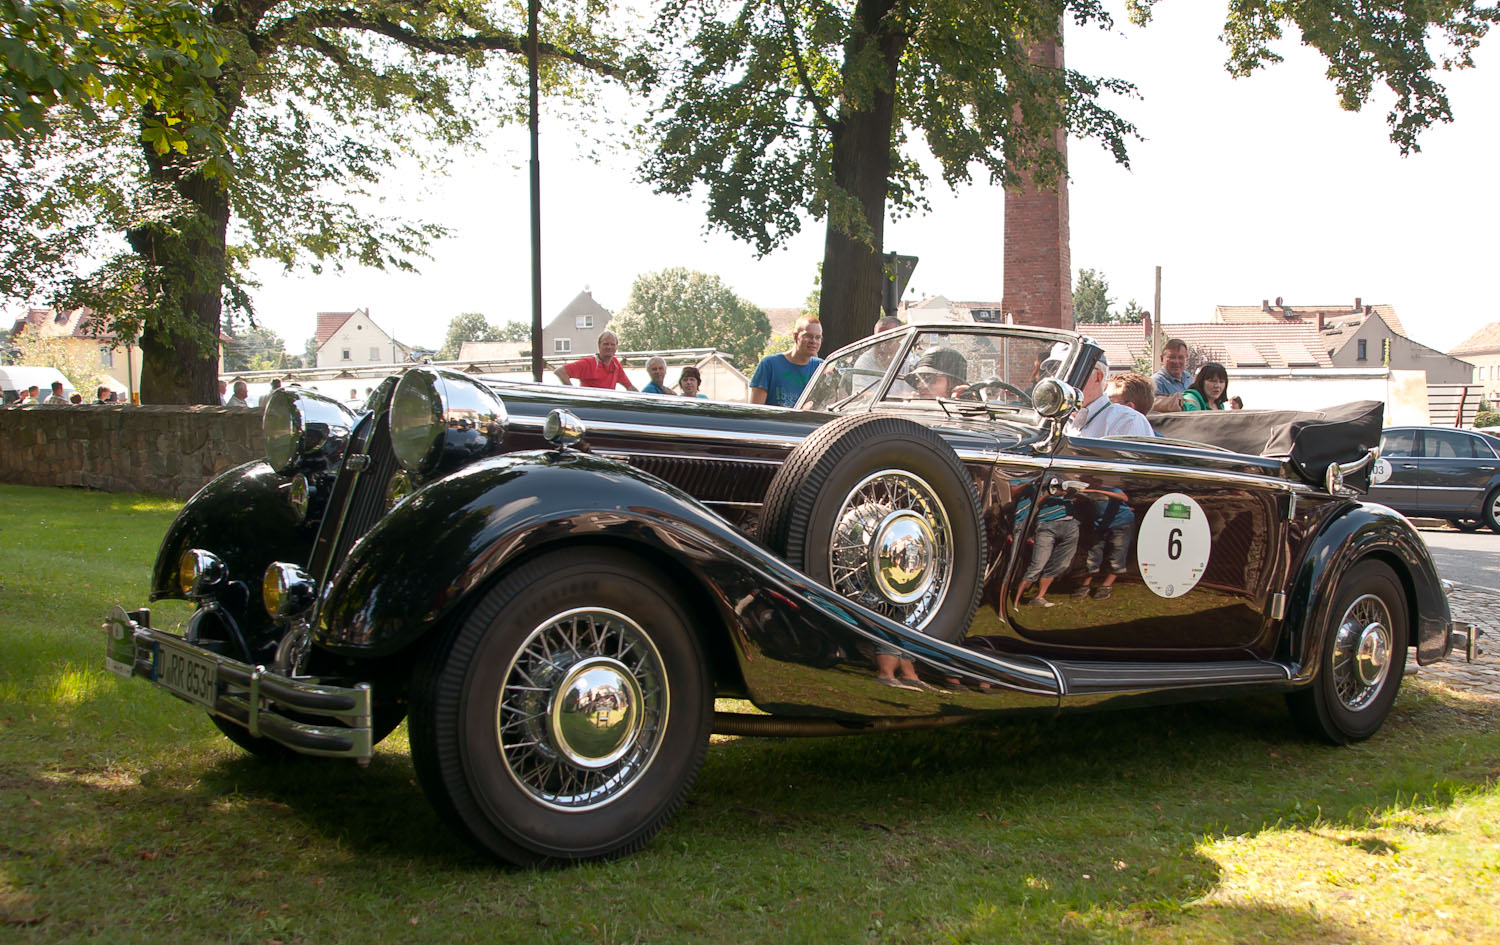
point(883, 511)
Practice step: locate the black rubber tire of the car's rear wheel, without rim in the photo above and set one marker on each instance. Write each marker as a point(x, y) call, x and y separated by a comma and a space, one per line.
point(1316, 707)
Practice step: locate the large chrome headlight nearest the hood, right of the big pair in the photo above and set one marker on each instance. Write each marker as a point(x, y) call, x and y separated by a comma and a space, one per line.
point(443, 419)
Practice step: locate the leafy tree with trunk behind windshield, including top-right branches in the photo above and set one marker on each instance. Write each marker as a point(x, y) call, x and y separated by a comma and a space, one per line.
point(779, 110)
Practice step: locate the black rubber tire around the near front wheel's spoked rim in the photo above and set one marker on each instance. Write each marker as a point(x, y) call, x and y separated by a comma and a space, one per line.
point(452, 778)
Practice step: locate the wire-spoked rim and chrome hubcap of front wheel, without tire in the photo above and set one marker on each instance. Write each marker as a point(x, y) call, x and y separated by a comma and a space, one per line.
point(583, 709)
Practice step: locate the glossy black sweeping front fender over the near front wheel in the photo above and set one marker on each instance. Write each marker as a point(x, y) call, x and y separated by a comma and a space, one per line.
point(427, 560)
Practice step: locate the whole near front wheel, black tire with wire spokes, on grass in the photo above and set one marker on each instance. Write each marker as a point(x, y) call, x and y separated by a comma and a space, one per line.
point(568, 716)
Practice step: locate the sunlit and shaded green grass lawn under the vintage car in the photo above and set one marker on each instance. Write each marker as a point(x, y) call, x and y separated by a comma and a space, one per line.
point(128, 818)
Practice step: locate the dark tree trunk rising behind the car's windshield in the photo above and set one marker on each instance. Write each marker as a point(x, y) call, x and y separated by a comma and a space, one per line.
point(854, 268)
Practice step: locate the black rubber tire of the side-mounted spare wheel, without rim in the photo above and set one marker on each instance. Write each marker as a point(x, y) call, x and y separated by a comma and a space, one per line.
point(794, 494)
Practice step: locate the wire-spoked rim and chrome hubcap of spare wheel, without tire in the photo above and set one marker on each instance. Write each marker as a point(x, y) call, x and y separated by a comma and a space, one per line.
point(892, 548)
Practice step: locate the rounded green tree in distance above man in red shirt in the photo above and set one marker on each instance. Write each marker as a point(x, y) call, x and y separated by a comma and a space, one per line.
point(679, 308)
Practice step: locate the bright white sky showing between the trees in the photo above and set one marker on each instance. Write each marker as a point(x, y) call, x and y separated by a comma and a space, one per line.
point(1241, 191)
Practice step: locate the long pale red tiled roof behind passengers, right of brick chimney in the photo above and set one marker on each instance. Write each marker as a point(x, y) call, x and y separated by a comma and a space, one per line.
point(1232, 346)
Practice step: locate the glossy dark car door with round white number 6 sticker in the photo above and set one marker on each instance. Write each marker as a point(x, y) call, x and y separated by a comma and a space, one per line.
point(1196, 541)
